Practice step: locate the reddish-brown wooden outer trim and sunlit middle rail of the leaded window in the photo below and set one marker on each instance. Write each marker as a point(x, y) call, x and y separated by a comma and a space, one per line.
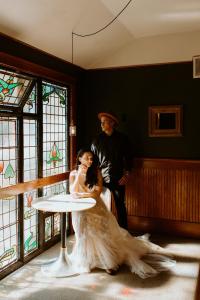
point(20, 65)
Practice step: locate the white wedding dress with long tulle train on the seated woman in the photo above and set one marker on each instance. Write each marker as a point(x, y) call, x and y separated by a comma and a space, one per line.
point(101, 243)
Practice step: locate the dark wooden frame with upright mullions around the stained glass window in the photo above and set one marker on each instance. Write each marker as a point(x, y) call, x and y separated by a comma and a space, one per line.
point(40, 73)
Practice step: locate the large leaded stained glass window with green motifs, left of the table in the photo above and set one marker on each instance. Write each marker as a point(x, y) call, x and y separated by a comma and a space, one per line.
point(20, 126)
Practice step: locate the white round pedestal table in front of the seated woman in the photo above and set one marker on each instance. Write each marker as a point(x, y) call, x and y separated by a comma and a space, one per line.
point(62, 204)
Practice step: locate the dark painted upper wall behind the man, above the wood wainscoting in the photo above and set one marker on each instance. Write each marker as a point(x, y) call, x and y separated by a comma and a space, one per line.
point(129, 92)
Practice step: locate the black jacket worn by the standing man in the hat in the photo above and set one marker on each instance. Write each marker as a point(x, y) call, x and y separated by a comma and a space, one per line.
point(114, 154)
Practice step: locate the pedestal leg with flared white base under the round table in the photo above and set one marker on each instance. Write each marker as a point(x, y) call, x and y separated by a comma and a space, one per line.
point(62, 266)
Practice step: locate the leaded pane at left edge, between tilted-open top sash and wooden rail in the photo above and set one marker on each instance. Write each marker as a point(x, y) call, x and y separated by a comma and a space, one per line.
point(8, 151)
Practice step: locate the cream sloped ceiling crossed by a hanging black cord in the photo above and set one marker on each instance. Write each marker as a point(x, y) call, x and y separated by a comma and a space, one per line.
point(48, 24)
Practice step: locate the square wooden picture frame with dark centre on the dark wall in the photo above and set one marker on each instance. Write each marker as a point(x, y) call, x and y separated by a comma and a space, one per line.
point(165, 121)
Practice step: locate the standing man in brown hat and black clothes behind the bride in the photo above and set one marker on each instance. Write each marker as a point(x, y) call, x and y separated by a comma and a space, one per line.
point(114, 153)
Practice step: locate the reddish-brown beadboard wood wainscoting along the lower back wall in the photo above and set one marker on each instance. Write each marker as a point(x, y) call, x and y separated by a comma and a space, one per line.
point(163, 195)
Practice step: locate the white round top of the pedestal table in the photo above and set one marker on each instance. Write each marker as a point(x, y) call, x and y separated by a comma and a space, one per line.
point(62, 203)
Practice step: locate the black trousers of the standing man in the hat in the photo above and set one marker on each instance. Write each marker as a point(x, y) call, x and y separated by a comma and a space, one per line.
point(119, 198)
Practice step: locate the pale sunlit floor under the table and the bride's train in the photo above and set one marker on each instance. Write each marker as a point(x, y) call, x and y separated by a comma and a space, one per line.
point(181, 283)
